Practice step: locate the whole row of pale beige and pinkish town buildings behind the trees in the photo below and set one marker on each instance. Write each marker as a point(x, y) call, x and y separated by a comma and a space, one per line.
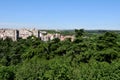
point(14, 34)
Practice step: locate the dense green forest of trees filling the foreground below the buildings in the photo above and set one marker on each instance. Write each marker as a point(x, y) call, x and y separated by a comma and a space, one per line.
point(88, 57)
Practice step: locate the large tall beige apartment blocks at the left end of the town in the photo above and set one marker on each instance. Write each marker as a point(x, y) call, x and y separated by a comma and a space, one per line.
point(15, 34)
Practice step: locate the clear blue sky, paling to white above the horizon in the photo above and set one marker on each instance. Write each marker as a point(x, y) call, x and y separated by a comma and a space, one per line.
point(60, 14)
